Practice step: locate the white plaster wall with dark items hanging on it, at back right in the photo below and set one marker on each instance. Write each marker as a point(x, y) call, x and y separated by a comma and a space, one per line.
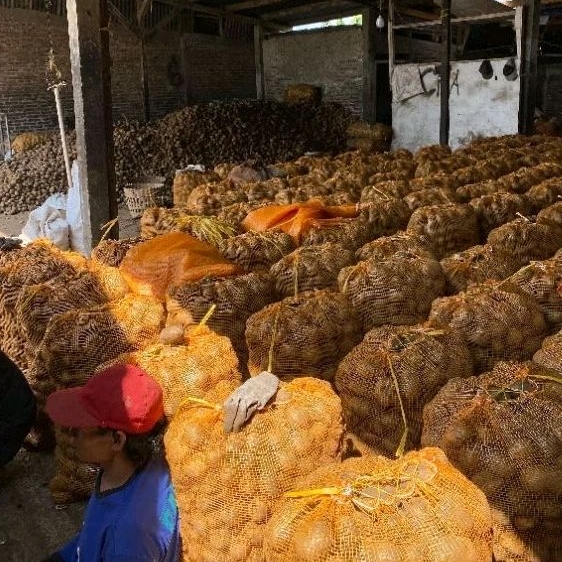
point(478, 107)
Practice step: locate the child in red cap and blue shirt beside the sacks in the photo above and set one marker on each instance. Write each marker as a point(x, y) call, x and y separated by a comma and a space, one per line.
point(132, 515)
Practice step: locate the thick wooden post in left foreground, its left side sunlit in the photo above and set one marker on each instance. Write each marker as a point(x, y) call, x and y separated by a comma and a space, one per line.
point(89, 57)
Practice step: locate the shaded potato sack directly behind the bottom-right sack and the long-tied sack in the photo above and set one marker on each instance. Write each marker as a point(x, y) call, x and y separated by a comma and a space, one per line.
point(499, 322)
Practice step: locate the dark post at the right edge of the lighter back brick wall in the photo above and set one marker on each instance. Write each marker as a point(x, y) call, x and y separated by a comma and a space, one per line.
point(370, 65)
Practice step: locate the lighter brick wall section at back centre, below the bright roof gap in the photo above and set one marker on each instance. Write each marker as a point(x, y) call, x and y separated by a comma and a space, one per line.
point(331, 58)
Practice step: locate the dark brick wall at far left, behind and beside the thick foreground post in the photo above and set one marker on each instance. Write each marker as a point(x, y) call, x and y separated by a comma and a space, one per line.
point(24, 44)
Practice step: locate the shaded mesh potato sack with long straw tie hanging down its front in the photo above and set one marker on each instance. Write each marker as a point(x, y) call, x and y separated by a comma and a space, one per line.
point(386, 380)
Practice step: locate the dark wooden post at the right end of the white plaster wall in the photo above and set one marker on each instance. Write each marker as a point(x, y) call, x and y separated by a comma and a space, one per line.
point(531, 12)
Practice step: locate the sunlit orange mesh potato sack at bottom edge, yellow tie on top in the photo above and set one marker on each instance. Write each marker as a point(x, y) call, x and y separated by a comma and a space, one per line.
point(418, 508)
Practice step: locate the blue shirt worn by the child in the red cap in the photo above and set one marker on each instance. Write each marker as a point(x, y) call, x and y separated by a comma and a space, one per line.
point(137, 522)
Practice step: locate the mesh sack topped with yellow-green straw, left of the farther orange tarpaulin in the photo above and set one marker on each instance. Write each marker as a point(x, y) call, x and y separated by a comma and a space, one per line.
point(157, 220)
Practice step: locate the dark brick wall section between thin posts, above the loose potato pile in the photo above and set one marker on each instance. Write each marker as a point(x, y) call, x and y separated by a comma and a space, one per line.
point(218, 68)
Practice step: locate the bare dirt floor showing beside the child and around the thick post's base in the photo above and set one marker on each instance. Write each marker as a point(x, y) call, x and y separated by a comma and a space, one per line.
point(31, 526)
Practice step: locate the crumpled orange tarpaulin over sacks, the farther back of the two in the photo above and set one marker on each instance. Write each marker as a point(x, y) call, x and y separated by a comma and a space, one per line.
point(297, 218)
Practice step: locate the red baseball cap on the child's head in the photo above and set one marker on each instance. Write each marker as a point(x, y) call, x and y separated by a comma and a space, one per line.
point(121, 397)
